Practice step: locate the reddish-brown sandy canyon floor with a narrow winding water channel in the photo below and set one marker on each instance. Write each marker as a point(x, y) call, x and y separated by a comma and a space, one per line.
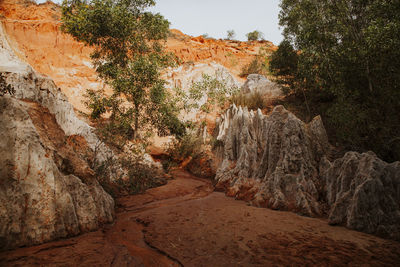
point(186, 223)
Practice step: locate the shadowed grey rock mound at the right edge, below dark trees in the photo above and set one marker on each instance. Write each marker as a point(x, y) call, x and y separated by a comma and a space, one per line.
point(364, 193)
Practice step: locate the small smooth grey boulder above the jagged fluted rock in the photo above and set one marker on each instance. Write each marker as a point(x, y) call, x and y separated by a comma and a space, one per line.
point(257, 83)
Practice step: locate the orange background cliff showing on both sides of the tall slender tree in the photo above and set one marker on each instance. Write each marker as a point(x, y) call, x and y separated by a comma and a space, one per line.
point(34, 32)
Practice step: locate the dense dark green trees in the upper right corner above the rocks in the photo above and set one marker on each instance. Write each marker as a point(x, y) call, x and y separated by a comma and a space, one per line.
point(347, 56)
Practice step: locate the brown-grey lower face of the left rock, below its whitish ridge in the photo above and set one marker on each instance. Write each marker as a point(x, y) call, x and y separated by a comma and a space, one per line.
point(46, 192)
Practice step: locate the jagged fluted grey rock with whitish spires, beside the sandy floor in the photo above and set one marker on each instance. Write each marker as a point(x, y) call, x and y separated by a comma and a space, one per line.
point(271, 161)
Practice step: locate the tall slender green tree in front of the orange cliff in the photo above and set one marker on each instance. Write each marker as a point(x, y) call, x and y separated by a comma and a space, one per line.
point(128, 54)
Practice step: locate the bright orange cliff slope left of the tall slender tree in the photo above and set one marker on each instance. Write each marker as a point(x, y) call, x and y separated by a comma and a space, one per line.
point(34, 32)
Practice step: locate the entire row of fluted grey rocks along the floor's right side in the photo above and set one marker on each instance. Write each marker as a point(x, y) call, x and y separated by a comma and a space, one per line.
point(279, 162)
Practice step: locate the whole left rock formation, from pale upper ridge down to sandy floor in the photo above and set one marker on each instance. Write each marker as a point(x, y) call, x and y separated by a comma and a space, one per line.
point(47, 189)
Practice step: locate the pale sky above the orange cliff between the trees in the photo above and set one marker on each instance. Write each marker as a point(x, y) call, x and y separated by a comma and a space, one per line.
point(215, 17)
